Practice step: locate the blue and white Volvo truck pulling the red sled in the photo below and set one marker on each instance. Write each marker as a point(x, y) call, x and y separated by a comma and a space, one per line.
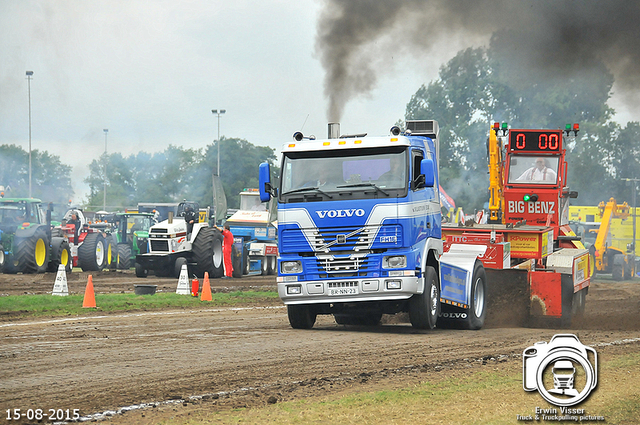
point(359, 232)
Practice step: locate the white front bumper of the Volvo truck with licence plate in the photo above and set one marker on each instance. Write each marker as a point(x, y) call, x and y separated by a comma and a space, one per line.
point(349, 290)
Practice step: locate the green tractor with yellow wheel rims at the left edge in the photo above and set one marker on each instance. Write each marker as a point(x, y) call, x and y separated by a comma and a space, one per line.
point(27, 243)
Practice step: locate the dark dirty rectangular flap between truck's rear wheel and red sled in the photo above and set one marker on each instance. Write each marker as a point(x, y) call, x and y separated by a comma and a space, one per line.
point(508, 296)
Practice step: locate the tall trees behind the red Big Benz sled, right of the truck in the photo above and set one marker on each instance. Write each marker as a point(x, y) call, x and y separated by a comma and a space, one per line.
point(483, 85)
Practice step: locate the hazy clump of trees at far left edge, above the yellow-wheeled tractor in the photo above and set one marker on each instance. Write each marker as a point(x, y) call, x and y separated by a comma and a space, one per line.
point(50, 179)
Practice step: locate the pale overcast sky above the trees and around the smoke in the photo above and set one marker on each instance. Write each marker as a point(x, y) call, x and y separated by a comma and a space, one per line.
point(151, 72)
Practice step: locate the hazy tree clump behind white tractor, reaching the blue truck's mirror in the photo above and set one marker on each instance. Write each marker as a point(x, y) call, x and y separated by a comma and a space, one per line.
point(177, 173)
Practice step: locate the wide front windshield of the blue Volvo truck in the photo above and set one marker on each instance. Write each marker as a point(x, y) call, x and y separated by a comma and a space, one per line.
point(344, 171)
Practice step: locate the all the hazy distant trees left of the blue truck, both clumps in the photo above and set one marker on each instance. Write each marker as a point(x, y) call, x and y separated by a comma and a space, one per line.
point(175, 174)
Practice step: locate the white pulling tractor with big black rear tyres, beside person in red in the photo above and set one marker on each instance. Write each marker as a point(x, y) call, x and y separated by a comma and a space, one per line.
point(178, 241)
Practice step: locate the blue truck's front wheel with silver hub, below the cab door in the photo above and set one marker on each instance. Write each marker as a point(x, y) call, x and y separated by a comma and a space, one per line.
point(424, 308)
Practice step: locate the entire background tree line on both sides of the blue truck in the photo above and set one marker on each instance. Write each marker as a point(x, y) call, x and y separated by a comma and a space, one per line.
point(477, 87)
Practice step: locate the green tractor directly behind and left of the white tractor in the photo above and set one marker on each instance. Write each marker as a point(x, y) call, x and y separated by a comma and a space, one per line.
point(131, 236)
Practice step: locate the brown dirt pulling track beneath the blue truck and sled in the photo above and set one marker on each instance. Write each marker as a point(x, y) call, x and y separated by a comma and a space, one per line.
point(229, 357)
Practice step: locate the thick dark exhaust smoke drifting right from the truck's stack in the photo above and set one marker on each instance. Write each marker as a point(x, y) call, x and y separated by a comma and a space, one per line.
point(357, 40)
